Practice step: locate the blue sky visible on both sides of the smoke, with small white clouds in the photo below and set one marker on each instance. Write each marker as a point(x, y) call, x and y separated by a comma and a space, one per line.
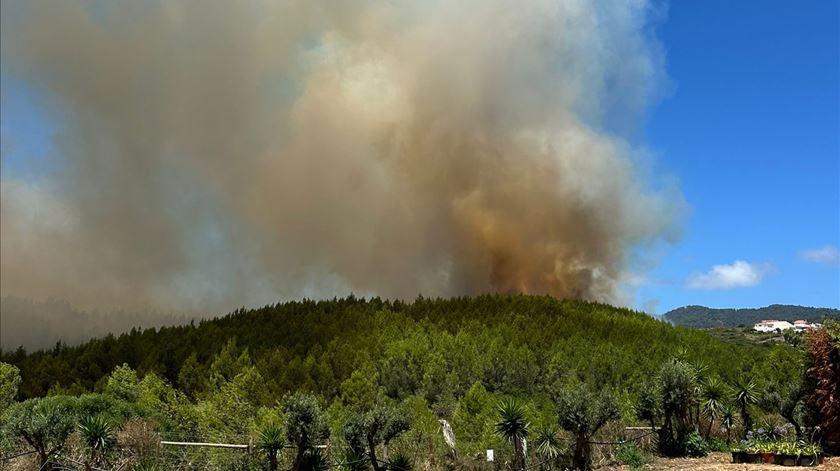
point(748, 125)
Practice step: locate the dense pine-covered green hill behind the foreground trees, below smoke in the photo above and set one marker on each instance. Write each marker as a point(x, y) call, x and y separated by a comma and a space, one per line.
point(517, 345)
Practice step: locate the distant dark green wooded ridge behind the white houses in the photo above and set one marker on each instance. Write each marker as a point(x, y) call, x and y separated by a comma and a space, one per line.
point(705, 317)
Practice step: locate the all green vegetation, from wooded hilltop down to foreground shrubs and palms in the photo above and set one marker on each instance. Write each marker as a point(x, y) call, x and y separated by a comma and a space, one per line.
point(379, 382)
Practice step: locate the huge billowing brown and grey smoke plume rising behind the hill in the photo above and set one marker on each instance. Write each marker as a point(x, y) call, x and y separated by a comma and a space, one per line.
point(212, 153)
